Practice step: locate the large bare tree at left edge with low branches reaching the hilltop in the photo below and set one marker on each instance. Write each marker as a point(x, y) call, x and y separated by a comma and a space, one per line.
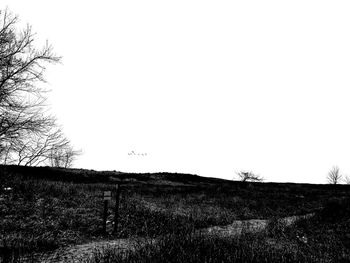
point(28, 136)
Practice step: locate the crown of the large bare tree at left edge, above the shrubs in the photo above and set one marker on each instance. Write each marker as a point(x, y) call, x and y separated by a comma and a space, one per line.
point(22, 66)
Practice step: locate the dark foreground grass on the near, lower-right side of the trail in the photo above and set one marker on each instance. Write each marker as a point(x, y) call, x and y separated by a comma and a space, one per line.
point(315, 239)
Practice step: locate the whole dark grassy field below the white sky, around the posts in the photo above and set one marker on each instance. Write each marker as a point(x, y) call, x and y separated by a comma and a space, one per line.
point(45, 210)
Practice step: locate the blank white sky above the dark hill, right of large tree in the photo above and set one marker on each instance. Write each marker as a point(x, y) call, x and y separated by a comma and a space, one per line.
point(205, 87)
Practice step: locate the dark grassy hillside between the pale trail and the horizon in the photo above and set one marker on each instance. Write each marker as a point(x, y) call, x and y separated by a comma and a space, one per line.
point(45, 208)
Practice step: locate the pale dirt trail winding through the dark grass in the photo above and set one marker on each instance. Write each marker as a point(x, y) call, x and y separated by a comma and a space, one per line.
point(81, 253)
